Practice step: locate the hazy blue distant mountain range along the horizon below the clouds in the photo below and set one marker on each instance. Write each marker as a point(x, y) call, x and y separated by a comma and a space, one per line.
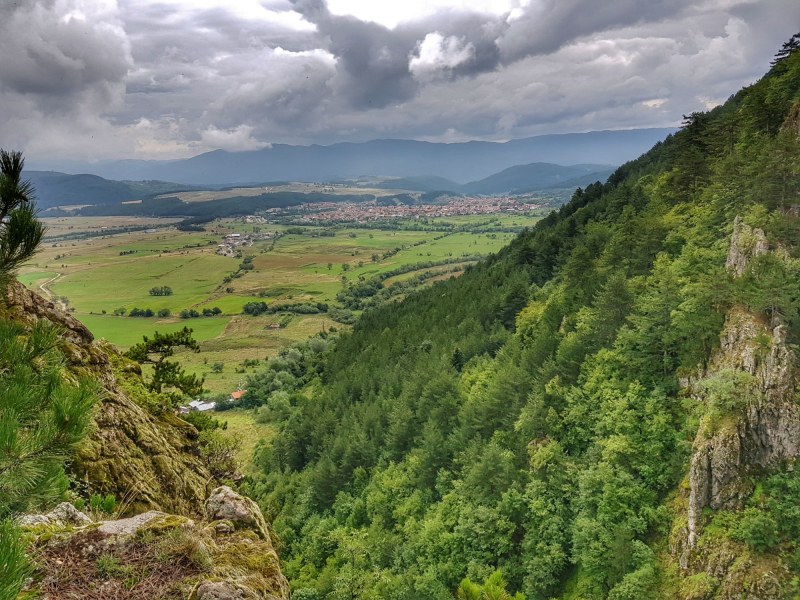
point(459, 162)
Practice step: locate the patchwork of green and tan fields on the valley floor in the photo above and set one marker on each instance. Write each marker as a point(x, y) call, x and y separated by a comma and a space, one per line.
point(98, 274)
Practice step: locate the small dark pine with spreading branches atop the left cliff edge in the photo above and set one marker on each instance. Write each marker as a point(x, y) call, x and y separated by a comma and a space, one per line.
point(168, 376)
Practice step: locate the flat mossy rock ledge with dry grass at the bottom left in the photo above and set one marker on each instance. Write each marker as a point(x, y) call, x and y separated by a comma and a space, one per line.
point(158, 555)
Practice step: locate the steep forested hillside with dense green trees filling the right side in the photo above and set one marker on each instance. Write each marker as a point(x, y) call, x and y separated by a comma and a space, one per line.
point(565, 412)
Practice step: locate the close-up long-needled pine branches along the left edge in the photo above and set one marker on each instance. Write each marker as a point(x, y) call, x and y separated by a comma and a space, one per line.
point(43, 413)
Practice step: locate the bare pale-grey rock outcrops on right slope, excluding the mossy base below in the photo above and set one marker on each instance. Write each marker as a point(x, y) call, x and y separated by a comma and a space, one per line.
point(765, 430)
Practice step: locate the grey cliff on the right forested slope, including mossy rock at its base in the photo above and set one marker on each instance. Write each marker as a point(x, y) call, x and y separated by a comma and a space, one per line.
point(756, 432)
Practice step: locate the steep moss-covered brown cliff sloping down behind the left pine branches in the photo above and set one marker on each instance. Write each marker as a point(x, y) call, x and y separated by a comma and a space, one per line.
point(146, 461)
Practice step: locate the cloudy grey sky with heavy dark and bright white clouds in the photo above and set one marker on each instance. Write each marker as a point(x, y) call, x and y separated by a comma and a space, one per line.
point(161, 79)
